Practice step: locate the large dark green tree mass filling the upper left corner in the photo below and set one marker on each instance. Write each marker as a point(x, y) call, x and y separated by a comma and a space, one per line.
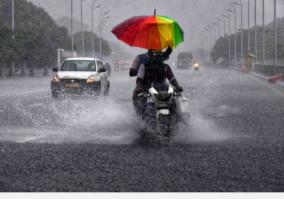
point(37, 37)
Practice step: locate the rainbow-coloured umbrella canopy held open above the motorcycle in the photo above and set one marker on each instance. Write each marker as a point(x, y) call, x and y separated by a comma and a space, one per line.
point(149, 32)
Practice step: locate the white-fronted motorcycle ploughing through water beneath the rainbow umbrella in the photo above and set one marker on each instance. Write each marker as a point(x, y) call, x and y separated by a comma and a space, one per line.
point(162, 112)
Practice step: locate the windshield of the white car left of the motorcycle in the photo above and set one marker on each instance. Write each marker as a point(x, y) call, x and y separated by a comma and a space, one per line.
point(78, 65)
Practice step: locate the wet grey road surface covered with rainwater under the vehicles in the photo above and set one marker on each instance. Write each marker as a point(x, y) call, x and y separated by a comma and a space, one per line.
point(234, 141)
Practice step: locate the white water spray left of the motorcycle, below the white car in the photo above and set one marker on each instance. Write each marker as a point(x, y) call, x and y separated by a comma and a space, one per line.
point(101, 120)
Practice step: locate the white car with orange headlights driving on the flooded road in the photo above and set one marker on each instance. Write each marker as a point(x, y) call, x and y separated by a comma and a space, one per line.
point(80, 76)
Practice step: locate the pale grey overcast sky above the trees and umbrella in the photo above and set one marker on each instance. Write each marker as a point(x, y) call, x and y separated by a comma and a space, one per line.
point(193, 15)
